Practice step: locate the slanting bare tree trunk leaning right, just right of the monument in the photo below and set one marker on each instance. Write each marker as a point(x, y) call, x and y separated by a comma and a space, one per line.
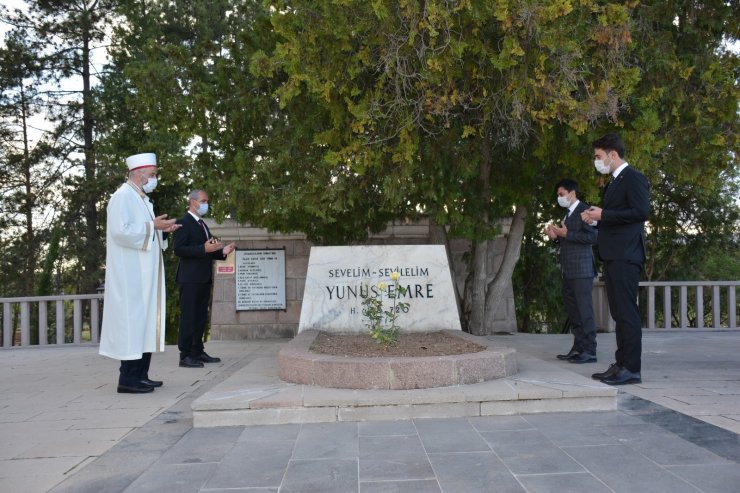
point(495, 289)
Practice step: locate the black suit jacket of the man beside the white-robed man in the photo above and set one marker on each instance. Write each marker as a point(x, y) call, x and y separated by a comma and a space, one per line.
point(195, 266)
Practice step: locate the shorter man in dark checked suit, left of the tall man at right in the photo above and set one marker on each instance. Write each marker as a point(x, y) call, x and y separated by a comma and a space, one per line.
point(578, 270)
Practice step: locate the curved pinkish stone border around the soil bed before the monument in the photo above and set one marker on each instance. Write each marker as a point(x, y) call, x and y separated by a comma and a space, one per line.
point(297, 364)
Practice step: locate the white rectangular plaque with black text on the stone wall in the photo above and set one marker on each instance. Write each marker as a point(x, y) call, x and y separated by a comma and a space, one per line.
point(260, 280)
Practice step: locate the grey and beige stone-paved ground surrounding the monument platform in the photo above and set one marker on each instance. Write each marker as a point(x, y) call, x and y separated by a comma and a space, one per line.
point(64, 429)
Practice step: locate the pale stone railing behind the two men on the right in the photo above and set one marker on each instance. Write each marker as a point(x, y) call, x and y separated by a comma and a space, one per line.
point(677, 304)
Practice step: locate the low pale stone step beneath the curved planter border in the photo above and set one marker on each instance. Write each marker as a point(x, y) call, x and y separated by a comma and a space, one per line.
point(254, 395)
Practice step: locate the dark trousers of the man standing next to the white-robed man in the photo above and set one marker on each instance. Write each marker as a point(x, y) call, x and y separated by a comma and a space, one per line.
point(194, 299)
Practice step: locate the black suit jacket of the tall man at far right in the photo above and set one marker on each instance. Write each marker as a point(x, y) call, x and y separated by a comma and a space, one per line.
point(625, 207)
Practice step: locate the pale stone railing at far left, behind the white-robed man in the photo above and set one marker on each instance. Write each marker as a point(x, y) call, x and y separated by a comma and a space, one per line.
point(44, 320)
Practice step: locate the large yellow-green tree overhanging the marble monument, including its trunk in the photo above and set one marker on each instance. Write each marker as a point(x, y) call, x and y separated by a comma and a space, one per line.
point(435, 106)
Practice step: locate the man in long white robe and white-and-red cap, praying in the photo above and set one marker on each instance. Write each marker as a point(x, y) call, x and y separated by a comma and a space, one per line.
point(134, 302)
